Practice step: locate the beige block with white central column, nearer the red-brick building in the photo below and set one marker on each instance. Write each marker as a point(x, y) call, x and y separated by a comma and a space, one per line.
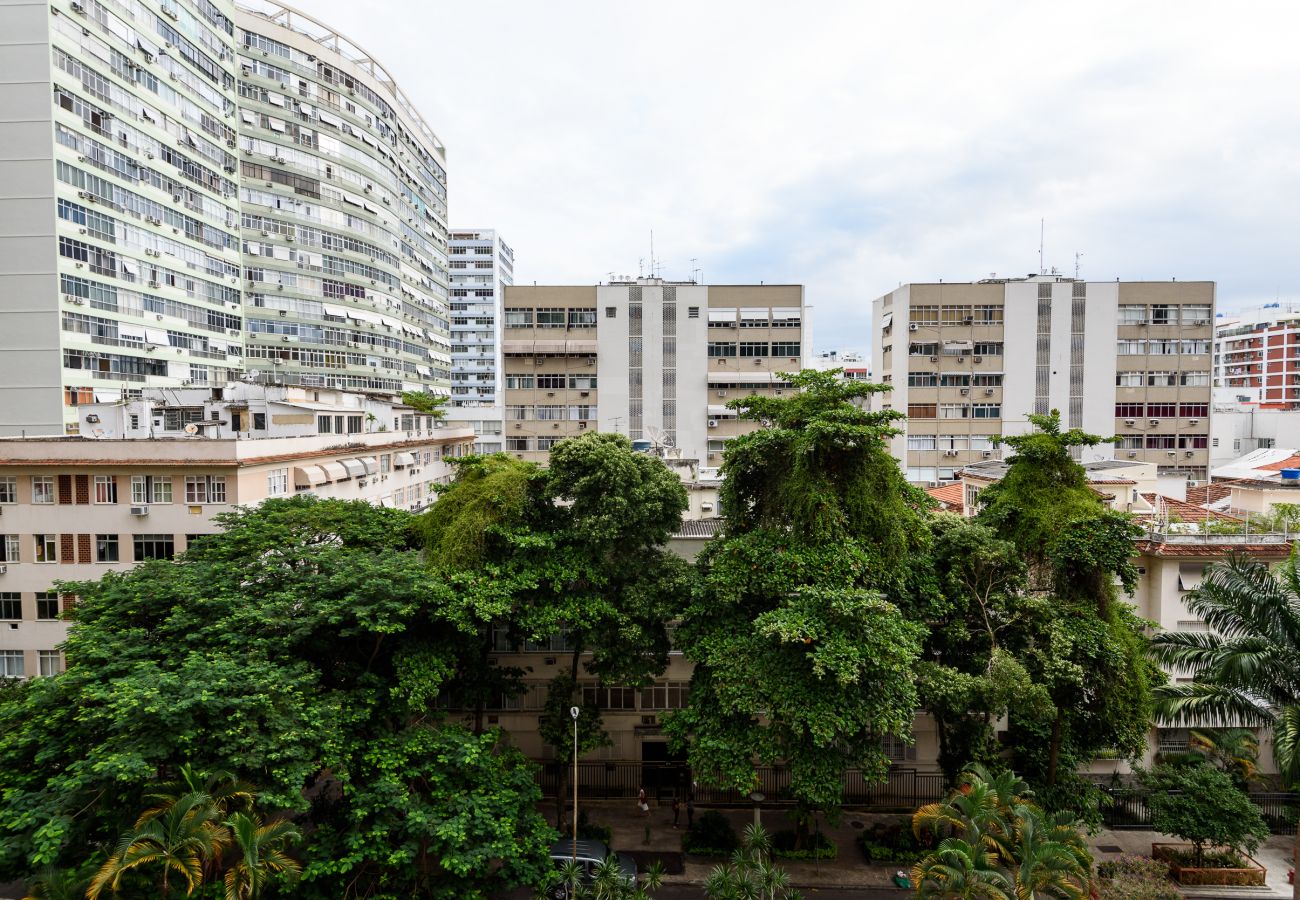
point(969, 362)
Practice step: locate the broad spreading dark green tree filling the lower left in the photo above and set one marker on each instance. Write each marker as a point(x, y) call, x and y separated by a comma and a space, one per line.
point(304, 647)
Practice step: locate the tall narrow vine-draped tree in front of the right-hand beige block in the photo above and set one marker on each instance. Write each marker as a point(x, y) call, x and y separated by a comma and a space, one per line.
point(1081, 647)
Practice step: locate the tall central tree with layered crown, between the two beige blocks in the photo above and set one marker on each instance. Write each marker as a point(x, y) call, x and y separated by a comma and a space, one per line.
point(803, 654)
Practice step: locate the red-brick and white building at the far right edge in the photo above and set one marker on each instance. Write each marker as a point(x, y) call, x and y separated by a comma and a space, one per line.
point(1258, 358)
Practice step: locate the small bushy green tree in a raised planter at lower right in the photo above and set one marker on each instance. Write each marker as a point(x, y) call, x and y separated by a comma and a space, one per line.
point(1202, 804)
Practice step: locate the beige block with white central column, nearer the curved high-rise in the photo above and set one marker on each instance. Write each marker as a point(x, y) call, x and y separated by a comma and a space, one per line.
point(652, 360)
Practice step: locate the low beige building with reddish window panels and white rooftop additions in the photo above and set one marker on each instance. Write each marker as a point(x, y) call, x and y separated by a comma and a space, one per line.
point(148, 475)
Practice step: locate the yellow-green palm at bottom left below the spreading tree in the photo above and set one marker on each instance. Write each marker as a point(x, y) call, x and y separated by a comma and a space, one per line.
point(180, 840)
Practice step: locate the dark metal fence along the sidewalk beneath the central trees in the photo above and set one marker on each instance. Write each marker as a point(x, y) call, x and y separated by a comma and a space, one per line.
point(902, 789)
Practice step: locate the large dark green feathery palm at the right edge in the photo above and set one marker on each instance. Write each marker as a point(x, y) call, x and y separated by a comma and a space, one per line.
point(1247, 669)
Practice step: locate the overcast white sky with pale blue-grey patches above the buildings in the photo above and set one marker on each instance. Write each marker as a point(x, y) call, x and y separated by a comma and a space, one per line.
point(855, 146)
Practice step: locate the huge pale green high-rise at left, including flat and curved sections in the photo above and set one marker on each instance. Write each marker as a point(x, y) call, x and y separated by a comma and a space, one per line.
point(190, 189)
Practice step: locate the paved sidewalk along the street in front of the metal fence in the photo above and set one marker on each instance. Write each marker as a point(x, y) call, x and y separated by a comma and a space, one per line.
point(638, 833)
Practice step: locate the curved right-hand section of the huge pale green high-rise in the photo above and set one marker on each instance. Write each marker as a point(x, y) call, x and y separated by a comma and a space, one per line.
point(344, 209)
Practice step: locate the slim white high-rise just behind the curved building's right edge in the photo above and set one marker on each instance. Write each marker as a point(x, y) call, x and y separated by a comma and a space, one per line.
point(483, 266)
